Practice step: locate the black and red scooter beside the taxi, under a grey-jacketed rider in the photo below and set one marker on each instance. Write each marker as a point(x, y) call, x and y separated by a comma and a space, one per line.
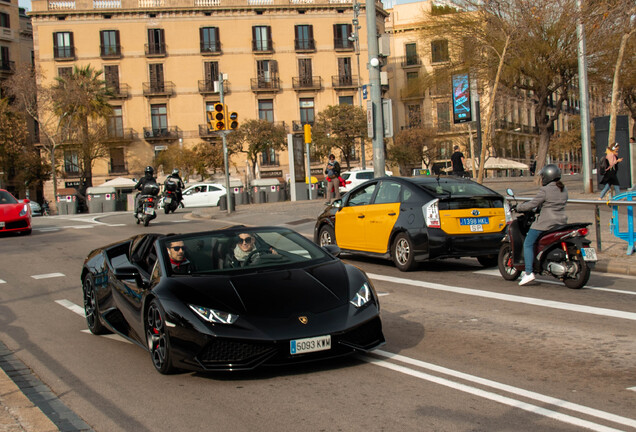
point(562, 252)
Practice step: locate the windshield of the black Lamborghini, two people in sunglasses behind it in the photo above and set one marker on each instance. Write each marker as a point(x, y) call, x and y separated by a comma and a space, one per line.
point(240, 249)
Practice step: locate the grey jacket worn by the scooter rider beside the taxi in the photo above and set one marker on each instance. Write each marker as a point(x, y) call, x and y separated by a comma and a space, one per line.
point(552, 202)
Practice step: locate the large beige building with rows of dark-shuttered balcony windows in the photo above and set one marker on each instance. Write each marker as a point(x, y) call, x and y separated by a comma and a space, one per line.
point(285, 60)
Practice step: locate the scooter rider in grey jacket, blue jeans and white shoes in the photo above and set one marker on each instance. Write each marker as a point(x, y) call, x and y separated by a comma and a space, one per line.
point(550, 204)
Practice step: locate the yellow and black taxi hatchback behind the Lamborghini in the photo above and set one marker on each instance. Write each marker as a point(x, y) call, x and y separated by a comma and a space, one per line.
point(410, 220)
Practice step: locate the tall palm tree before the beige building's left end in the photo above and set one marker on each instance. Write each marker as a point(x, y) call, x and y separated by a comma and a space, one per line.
point(80, 100)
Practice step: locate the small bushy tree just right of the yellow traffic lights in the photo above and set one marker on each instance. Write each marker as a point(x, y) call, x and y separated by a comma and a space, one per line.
point(256, 136)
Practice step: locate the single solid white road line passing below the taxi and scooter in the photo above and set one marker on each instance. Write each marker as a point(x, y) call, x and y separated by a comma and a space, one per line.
point(509, 297)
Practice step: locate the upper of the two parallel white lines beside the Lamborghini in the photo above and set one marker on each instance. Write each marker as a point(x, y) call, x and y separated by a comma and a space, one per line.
point(508, 388)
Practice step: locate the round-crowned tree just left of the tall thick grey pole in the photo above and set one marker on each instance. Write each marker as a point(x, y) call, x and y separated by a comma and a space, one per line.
point(339, 126)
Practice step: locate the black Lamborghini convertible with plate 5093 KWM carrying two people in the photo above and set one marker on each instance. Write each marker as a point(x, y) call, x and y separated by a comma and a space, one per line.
point(284, 301)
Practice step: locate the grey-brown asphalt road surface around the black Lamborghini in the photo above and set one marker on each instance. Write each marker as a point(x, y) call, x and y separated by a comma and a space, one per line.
point(466, 350)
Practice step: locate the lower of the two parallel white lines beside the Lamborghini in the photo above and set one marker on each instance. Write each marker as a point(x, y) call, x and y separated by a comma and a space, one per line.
point(495, 397)
